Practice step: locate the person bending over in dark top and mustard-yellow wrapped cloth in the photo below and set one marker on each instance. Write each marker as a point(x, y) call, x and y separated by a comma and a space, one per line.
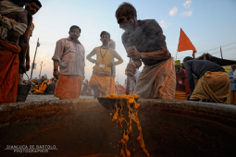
point(213, 83)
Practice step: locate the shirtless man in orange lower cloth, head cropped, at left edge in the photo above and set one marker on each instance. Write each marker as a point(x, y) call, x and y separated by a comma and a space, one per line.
point(13, 44)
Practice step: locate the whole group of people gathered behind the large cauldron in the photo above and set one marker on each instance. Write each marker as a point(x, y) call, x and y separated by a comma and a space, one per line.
point(144, 43)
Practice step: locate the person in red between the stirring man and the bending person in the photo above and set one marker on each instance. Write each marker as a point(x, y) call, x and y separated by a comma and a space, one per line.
point(182, 87)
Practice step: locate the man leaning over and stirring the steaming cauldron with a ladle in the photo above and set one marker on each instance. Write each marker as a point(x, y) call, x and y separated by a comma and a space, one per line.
point(144, 42)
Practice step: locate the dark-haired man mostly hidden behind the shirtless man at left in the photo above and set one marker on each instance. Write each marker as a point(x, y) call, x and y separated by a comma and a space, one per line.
point(32, 8)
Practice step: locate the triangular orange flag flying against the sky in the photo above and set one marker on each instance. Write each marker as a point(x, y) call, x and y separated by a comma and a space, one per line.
point(185, 43)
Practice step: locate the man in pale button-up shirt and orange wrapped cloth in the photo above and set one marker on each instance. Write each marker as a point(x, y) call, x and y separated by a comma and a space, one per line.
point(70, 56)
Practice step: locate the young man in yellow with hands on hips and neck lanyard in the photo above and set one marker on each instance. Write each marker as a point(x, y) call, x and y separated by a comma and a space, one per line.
point(100, 80)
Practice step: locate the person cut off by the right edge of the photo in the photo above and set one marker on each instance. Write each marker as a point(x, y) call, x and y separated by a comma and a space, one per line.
point(233, 84)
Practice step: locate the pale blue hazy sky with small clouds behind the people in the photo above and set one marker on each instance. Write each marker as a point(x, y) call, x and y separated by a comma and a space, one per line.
point(209, 24)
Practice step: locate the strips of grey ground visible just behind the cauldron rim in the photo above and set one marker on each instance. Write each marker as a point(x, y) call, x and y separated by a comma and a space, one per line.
point(33, 97)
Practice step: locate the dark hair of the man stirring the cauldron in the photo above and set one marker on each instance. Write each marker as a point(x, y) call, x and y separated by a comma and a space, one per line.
point(126, 9)
